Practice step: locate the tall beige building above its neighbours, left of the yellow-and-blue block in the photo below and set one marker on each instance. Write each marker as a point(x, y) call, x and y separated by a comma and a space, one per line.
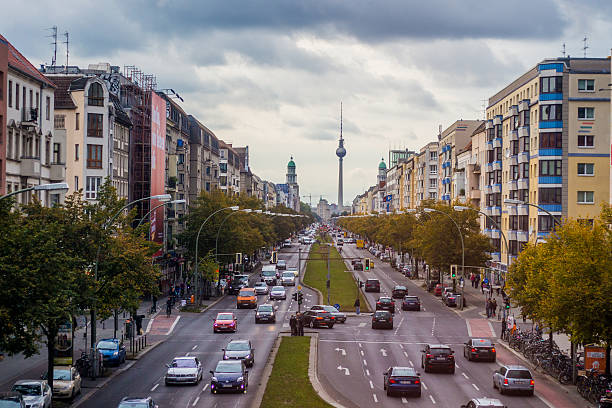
point(452, 140)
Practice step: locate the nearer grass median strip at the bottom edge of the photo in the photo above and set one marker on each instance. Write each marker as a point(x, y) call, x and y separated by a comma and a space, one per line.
point(289, 385)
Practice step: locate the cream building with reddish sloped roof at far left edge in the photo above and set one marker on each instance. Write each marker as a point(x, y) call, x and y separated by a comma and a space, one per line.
point(33, 154)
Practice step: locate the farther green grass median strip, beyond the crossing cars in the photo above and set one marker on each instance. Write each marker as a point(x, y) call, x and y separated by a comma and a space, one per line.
point(343, 287)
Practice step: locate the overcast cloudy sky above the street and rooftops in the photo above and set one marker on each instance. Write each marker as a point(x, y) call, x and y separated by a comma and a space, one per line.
point(271, 73)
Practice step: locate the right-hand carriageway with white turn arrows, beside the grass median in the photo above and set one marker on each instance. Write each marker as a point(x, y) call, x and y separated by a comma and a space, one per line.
point(353, 357)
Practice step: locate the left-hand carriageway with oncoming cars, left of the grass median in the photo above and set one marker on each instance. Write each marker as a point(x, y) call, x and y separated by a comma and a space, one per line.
point(193, 335)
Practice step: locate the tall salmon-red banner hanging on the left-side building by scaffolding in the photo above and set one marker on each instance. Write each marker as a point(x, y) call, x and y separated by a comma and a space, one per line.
point(158, 163)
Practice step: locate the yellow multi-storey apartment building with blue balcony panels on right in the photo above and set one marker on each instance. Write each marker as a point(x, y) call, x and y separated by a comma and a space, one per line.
point(548, 140)
